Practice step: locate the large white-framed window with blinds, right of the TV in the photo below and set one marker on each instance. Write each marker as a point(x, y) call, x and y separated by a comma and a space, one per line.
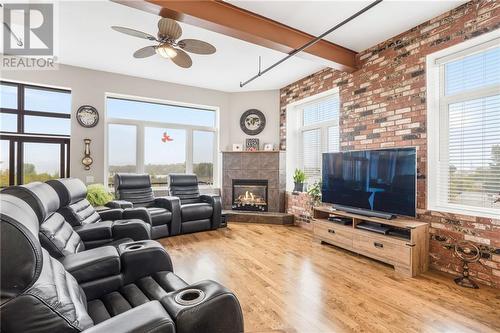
point(464, 118)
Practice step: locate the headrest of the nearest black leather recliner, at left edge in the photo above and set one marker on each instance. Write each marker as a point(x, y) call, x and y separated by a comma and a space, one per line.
point(20, 250)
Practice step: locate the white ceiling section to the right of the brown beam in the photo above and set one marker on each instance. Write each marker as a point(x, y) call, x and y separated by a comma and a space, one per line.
point(385, 20)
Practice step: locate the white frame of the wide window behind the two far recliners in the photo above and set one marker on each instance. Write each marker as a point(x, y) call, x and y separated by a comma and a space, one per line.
point(140, 136)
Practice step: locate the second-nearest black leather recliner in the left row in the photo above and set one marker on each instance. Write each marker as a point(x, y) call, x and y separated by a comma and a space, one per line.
point(59, 237)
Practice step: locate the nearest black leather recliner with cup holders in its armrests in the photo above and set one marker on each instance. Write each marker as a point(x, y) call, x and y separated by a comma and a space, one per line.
point(130, 289)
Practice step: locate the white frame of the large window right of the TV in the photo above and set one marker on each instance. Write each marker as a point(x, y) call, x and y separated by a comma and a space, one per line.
point(437, 118)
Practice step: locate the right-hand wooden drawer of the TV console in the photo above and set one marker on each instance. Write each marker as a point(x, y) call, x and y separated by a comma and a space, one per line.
point(383, 250)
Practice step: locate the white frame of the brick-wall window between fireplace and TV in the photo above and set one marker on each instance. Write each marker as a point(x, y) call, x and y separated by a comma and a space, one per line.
point(295, 128)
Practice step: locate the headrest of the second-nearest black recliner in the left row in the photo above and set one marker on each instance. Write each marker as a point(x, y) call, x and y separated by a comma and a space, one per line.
point(42, 198)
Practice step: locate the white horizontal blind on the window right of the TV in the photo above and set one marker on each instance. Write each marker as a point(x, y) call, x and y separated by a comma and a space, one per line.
point(469, 134)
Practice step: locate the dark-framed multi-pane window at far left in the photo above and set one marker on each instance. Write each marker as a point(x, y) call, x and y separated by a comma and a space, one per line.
point(35, 133)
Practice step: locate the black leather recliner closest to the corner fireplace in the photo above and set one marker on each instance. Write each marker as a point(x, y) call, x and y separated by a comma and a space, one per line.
point(197, 212)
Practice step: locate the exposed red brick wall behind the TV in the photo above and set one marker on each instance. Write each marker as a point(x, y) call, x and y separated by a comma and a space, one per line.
point(383, 104)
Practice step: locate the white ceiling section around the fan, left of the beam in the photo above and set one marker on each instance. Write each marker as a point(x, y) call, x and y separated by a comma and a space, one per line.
point(86, 40)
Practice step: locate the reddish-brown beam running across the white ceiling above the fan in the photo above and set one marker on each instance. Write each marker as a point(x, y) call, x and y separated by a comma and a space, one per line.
point(236, 22)
